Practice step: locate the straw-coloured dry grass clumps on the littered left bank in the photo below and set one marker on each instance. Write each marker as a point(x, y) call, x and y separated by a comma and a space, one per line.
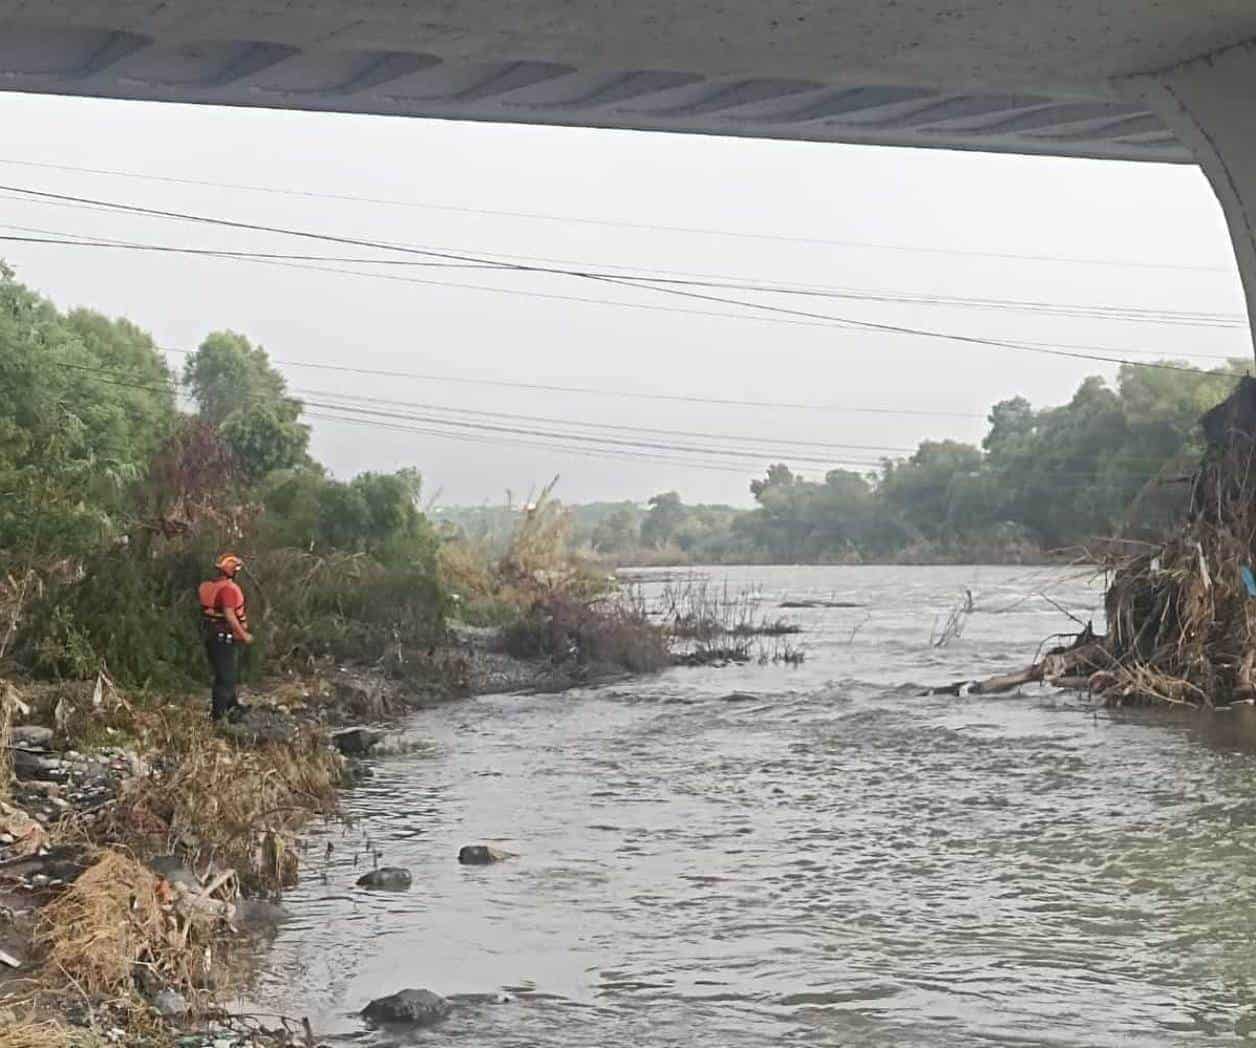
point(227, 809)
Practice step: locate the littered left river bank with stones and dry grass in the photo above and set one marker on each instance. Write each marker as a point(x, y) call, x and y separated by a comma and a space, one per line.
point(136, 839)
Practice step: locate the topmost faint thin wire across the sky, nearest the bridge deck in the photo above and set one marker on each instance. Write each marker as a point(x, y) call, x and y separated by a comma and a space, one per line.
point(620, 224)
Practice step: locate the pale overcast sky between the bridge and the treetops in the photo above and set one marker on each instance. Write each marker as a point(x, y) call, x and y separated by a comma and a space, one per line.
point(720, 389)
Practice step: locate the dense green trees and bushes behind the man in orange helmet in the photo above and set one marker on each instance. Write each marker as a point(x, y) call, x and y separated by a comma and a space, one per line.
point(115, 505)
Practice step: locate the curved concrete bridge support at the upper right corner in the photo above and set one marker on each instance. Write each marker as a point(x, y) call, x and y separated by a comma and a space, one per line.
point(1210, 104)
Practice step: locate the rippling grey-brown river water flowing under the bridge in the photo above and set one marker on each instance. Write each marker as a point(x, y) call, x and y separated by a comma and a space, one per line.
point(762, 856)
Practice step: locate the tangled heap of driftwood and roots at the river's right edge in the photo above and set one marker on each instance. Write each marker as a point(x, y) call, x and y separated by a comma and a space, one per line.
point(1183, 615)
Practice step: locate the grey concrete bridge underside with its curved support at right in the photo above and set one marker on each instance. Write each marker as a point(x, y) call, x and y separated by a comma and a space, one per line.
point(1144, 80)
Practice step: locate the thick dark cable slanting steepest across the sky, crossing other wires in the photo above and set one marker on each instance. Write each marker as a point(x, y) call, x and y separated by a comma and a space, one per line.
point(614, 281)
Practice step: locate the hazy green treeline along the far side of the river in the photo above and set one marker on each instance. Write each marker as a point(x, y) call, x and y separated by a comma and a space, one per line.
point(1112, 462)
